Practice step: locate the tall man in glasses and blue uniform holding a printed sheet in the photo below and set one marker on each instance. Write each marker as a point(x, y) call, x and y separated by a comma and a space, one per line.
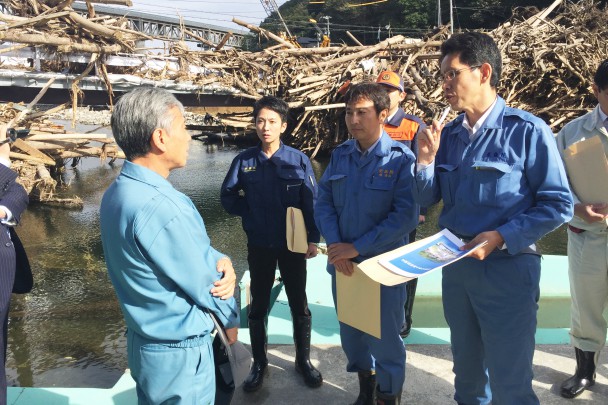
point(501, 180)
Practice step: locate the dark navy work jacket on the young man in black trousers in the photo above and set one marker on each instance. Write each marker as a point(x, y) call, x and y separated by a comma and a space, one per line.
point(260, 189)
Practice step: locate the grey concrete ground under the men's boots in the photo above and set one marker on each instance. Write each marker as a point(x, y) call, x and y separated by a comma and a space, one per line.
point(429, 377)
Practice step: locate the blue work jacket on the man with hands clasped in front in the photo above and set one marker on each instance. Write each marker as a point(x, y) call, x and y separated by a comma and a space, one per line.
point(367, 201)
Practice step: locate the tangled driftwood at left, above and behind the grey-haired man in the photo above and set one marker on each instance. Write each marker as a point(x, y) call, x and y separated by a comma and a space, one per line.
point(50, 24)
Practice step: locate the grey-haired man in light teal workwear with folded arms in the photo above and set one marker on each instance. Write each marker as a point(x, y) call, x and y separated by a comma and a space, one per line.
point(159, 258)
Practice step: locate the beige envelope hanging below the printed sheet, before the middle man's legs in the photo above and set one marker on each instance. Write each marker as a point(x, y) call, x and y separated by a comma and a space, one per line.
point(358, 300)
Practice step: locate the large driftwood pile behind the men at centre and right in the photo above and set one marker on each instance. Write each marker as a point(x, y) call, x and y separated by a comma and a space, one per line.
point(549, 60)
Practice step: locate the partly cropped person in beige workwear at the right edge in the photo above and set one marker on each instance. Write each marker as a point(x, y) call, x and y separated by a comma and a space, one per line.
point(587, 250)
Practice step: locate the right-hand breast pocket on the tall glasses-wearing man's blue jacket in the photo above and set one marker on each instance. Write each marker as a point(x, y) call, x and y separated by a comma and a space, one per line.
point(493, 183)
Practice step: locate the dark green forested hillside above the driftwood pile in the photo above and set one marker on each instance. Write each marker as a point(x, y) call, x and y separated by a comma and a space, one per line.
point(374, 22)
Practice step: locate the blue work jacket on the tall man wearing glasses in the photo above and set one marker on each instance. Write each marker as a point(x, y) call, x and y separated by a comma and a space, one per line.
point(510, 178)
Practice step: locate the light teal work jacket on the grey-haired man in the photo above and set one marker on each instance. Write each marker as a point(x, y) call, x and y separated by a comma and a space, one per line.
point(160, 259)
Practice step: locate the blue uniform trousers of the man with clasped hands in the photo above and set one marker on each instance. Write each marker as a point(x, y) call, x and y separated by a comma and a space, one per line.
point(387, 355)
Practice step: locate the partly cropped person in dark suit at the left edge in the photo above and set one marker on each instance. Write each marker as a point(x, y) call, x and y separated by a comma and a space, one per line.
point(13, 201)
